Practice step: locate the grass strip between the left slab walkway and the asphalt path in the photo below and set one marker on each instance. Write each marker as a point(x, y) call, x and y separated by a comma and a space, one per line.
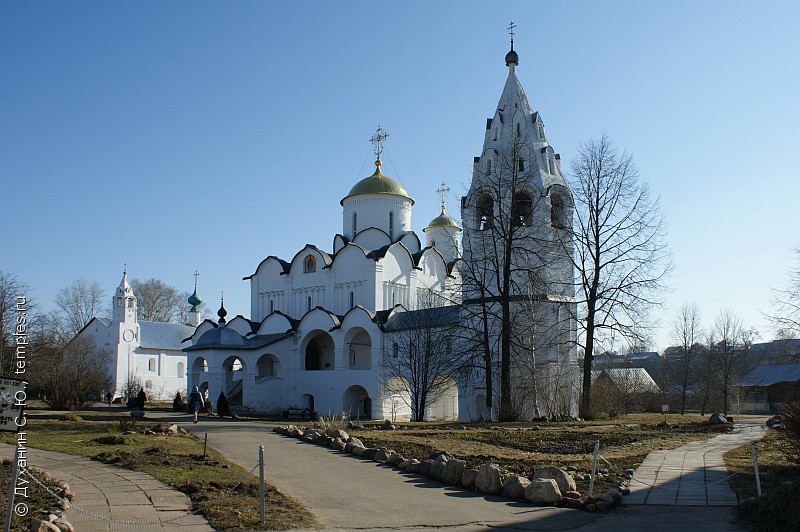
point(174, 460)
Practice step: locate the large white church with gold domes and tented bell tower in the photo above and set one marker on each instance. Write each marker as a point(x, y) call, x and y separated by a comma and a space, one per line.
point(322, 322)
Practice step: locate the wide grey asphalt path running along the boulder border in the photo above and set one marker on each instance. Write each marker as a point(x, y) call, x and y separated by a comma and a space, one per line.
point(346, 492)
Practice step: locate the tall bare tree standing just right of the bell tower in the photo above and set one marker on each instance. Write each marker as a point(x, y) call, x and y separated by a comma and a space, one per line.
point(621, 257)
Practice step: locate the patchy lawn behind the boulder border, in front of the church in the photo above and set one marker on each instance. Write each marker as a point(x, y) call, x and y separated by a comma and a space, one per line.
point(520, 447)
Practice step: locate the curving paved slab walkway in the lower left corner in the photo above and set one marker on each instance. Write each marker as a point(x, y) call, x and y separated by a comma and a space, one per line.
point(136, 501)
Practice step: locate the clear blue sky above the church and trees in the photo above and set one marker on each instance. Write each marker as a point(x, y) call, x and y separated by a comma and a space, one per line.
point(177, 136)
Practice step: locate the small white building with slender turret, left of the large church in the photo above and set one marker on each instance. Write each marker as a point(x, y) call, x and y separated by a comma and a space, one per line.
point(150, 351)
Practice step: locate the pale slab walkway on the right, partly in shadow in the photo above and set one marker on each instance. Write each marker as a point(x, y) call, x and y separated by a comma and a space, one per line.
point(693, 474)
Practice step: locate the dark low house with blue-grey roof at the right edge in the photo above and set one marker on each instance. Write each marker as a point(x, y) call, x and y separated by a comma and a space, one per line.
point(765, 389)
